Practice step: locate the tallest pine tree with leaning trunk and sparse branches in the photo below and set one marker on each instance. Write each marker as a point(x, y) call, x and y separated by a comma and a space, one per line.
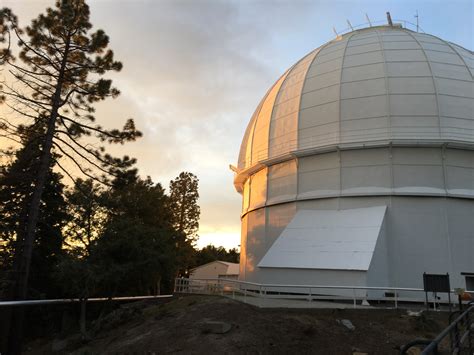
point(55, 85)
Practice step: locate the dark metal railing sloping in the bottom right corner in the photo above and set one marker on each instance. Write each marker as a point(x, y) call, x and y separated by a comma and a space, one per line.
point(460, 333)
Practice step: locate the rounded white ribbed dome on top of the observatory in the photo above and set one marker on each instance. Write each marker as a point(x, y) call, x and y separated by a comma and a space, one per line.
point(378, 84)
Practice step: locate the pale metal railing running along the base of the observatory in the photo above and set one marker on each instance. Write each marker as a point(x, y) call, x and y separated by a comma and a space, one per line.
point(262, 294)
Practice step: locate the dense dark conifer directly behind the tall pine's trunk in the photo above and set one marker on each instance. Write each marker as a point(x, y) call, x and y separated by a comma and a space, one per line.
point(15, 195)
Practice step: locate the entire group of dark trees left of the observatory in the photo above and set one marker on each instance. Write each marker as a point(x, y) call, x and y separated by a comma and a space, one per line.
point(76, 221)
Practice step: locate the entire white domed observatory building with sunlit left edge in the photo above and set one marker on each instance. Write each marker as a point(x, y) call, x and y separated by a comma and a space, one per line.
point(357, 167)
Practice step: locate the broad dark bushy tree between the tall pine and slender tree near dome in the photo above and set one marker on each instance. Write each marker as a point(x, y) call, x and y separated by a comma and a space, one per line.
point(138, 247)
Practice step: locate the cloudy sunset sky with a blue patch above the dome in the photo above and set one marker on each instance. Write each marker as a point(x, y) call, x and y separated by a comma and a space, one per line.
point(195, 70)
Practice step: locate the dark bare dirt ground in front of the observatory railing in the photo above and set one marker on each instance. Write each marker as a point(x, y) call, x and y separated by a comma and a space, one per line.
point(179, 327)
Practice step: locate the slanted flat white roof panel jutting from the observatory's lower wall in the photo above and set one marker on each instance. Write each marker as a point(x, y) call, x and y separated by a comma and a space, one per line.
point(337, 240)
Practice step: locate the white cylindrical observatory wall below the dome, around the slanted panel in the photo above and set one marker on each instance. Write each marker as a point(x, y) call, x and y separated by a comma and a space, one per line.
point(424, 230)
